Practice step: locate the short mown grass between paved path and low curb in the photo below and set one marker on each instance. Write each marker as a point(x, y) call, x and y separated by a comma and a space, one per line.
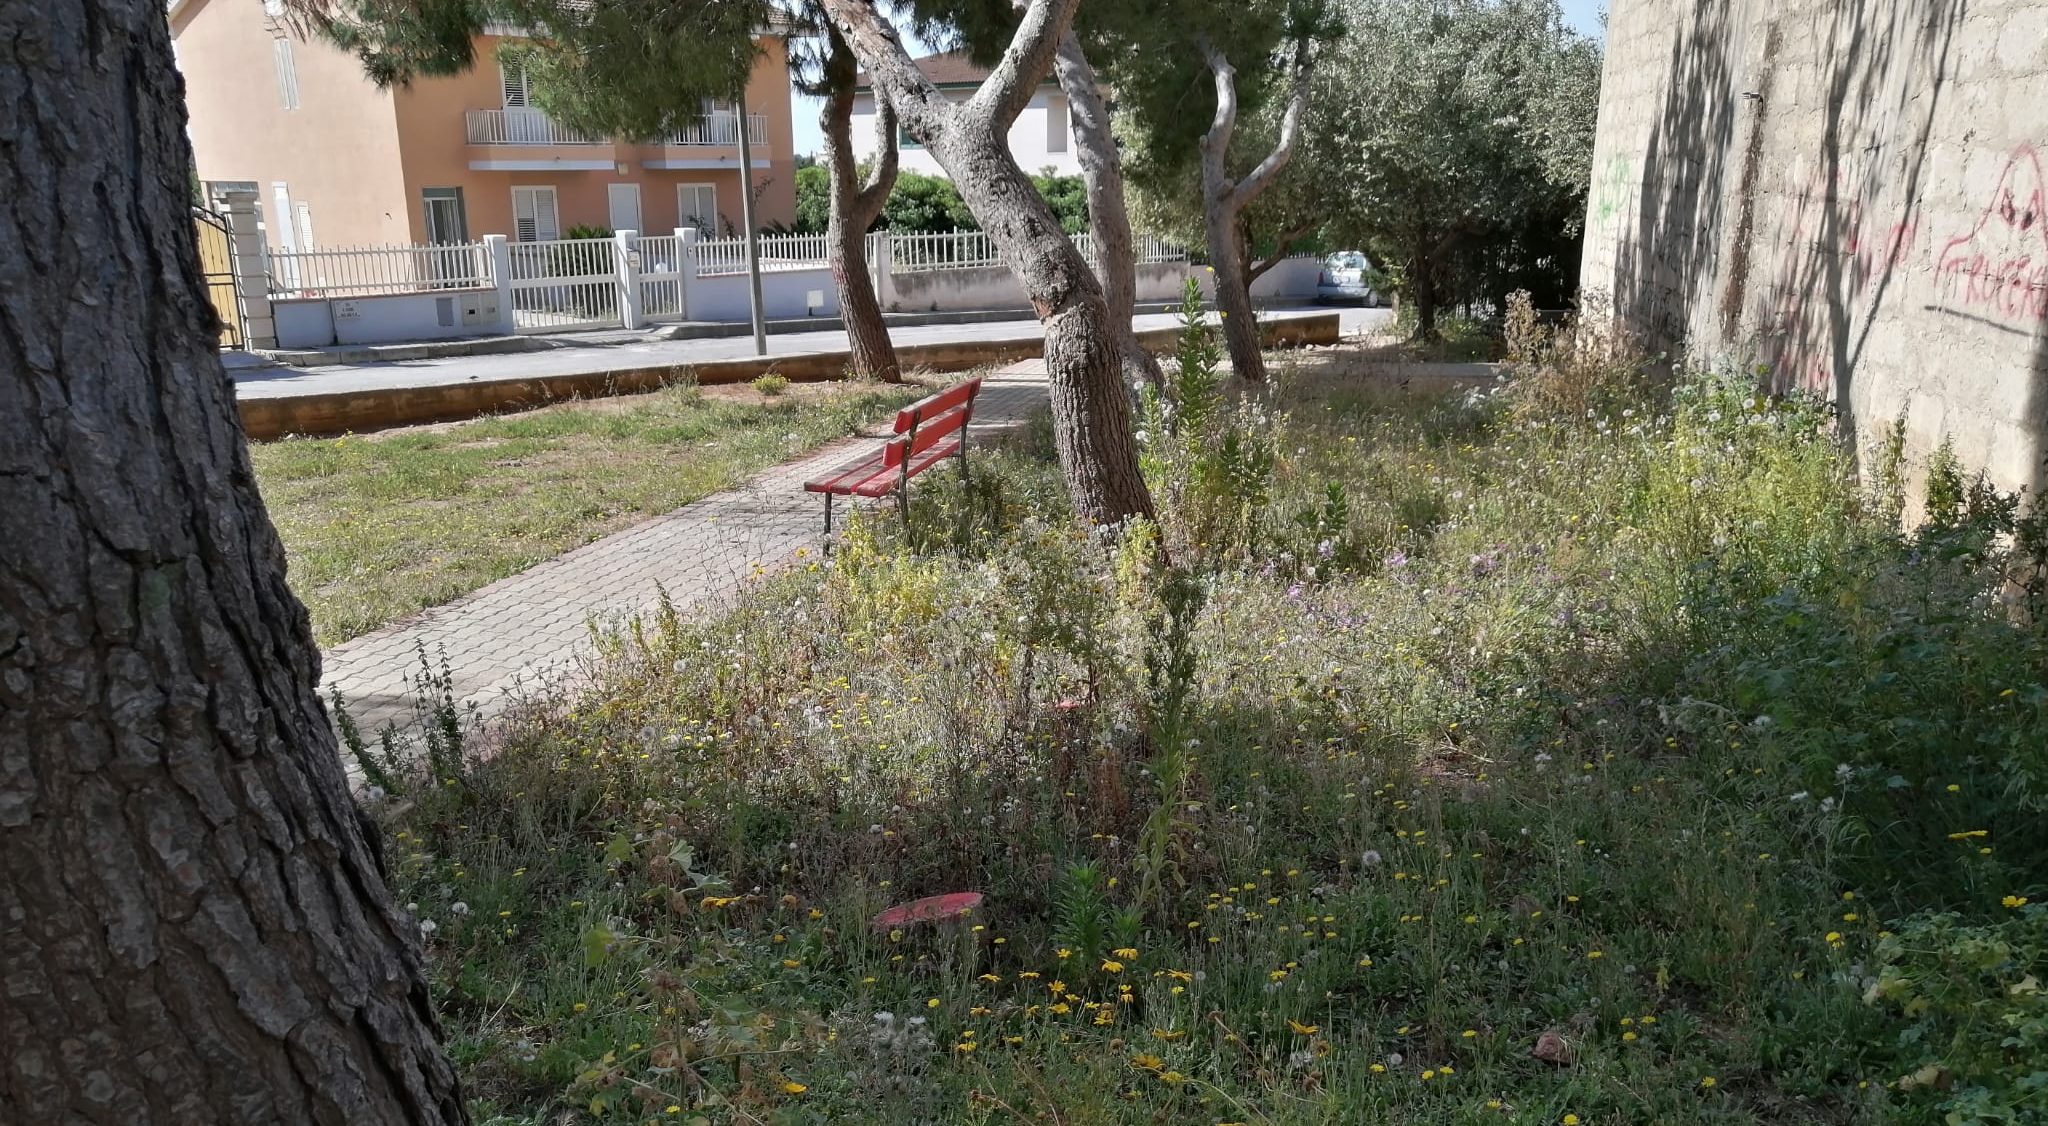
point(384, 525)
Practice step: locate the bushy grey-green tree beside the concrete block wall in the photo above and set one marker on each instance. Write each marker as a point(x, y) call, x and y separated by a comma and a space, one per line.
point(1455, 140)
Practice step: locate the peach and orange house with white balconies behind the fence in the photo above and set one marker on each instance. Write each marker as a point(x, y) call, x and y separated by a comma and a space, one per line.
point(341, 163)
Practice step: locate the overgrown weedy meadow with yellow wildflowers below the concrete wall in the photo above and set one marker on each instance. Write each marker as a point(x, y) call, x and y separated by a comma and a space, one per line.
point(1476, 763)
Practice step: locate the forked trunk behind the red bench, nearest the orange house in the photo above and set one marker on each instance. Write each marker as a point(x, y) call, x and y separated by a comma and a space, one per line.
point(855, 208)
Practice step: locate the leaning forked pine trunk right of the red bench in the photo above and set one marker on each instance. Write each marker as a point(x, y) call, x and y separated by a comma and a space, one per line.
point(1082, 347)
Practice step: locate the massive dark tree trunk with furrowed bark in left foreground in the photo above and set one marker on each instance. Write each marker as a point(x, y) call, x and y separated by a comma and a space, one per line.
point(191, 922)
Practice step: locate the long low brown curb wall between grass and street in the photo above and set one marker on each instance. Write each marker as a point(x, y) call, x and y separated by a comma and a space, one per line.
point(351, 413)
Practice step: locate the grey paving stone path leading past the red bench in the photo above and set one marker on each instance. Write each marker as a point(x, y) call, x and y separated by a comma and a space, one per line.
point(534, 625)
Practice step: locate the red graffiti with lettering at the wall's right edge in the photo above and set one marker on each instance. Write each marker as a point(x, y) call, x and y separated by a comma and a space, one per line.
point(2002, 265)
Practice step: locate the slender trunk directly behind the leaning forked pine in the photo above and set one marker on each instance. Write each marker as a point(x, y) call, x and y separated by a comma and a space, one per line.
point(1109, 218)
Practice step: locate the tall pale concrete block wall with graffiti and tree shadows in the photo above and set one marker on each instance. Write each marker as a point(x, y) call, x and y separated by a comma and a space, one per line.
point(1846, 193)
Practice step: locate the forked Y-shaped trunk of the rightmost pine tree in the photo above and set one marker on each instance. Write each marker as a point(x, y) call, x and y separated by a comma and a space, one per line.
point(1226, 200)
